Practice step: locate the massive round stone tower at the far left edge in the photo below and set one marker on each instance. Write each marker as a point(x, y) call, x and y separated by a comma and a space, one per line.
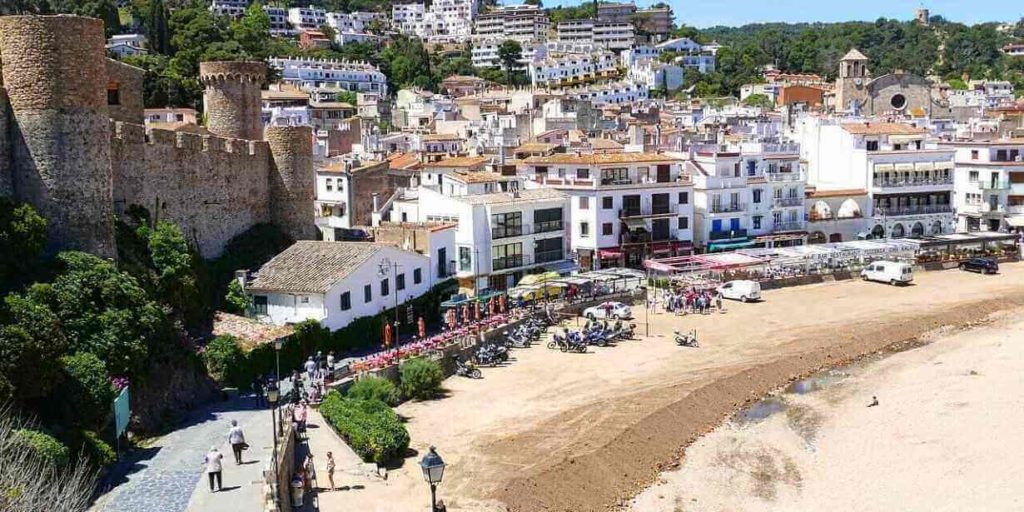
point(55, 73)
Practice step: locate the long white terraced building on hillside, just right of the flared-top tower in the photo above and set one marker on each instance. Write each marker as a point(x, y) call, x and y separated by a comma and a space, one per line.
point(312, 74)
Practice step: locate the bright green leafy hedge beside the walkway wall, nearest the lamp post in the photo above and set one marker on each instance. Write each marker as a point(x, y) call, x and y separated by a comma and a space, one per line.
point(371, 428)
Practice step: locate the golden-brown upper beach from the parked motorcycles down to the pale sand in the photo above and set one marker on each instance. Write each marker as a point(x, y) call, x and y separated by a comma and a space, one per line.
point(589, 433)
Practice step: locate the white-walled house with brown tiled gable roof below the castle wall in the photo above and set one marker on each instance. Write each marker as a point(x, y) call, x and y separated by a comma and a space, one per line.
point(337, 282)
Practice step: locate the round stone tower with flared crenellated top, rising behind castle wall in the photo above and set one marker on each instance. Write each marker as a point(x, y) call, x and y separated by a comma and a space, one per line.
point(232, 100)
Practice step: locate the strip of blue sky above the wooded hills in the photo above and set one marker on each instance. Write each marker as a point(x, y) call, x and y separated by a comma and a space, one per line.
point(736, 13)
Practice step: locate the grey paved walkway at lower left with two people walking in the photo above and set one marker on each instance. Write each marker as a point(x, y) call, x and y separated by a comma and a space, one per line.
point(169, 475)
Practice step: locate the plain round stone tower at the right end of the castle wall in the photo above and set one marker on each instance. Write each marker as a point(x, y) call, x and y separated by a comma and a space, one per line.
point(293, 183)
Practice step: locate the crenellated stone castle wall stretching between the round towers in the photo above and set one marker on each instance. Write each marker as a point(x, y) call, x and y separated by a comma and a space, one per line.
point(214, 188)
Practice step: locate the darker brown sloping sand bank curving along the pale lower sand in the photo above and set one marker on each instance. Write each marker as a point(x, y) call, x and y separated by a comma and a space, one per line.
point(706, 409)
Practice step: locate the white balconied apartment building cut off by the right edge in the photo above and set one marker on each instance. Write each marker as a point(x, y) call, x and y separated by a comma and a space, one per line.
point(989, 181)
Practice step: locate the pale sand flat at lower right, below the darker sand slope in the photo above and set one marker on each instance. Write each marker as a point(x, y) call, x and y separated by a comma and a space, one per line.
point(946, 436)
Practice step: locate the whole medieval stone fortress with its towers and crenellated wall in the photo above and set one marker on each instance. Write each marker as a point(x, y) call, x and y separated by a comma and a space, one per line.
point(74, 147)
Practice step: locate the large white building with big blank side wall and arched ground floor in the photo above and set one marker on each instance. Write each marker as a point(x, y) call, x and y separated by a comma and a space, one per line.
point(910, 184)
